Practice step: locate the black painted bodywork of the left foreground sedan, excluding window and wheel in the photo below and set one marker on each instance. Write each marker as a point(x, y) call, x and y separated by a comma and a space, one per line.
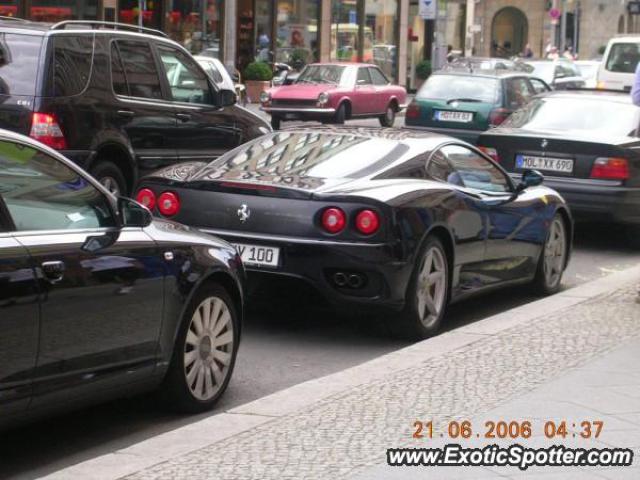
point(108, 328)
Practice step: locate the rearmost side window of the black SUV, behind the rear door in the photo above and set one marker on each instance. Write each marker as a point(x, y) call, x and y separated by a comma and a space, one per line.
point(71, 67)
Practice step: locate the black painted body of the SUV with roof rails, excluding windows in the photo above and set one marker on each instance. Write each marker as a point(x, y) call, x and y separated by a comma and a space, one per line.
point(139, 135)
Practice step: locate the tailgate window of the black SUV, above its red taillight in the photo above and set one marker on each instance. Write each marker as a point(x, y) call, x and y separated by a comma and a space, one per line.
point(19, 55)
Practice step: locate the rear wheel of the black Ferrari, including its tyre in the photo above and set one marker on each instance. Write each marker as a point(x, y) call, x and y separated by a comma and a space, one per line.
point(428, 293)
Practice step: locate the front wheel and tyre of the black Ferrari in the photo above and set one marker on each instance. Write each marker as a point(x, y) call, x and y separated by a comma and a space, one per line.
point(553, 258)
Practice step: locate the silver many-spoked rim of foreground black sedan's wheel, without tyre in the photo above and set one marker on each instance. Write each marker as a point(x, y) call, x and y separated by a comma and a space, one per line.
point(208, 348)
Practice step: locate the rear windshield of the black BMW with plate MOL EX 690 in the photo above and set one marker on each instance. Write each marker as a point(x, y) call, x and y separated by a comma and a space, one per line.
point(589, 115)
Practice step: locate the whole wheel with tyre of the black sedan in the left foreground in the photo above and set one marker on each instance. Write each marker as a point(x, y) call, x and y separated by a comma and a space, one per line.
point(205, 352)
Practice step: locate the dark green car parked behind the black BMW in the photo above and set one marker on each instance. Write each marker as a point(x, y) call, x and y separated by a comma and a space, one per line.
point(463, 104)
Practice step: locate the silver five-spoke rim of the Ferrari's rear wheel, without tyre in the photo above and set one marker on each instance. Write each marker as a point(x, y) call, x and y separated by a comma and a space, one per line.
point(432, 286)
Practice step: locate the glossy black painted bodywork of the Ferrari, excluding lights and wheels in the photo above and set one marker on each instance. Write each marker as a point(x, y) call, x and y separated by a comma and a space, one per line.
point(489, 243)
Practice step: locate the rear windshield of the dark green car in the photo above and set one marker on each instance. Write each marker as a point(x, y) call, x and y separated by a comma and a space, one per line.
point(459, 87)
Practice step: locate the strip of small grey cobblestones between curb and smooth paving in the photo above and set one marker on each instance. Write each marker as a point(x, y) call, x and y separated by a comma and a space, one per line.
point(347, 434)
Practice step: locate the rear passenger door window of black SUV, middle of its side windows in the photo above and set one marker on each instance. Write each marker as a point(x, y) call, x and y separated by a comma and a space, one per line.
point(140, 69)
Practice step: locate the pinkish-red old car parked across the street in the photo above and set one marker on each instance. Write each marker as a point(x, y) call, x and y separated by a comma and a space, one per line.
point(335, 92)
